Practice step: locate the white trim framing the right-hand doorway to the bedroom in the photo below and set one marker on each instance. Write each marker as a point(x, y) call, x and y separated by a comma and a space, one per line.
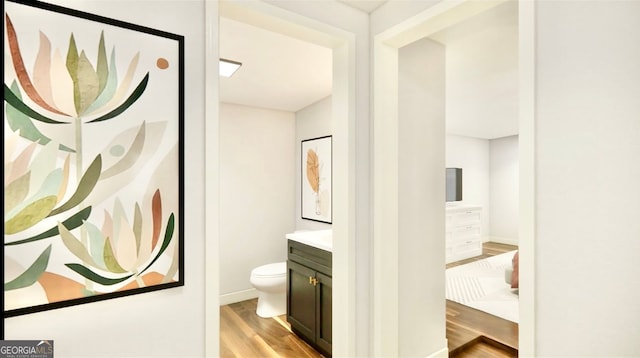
point(385, 172)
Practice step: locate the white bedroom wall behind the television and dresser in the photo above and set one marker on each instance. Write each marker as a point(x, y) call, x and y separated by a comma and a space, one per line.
point(473, 156)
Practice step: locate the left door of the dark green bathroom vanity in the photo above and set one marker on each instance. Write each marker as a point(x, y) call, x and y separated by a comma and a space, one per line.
point(301, 300)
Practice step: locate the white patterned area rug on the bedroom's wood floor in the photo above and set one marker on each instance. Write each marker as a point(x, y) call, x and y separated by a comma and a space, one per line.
point(481, 285)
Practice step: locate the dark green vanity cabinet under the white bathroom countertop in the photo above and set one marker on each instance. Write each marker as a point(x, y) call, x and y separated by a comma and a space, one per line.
point(309, 294)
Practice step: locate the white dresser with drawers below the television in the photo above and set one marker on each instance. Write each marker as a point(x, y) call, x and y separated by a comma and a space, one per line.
point(463, 232)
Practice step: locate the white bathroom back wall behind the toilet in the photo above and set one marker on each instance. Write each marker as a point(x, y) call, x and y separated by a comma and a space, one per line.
point(257, 182)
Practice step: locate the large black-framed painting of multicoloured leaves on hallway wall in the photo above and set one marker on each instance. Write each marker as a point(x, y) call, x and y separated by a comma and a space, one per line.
point(93, 158)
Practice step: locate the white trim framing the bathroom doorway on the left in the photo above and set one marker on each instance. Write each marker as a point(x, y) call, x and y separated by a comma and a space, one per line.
point(342, 45)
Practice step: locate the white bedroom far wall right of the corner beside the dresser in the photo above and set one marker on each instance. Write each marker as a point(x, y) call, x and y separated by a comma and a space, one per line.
point(504, 174)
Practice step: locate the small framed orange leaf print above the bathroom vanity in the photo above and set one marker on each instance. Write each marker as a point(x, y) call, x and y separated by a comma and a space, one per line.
point(316, 179)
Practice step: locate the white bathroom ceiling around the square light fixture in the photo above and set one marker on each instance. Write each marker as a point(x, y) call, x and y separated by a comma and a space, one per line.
point(278, 71)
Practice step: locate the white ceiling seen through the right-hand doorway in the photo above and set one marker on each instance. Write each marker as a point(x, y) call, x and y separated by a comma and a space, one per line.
point(482, 74)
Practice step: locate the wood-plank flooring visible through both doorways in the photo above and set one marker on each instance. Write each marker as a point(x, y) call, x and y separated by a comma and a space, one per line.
point(470, 333)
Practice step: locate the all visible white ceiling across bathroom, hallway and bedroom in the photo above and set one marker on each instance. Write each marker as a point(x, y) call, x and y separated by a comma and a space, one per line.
point(284, 73)
